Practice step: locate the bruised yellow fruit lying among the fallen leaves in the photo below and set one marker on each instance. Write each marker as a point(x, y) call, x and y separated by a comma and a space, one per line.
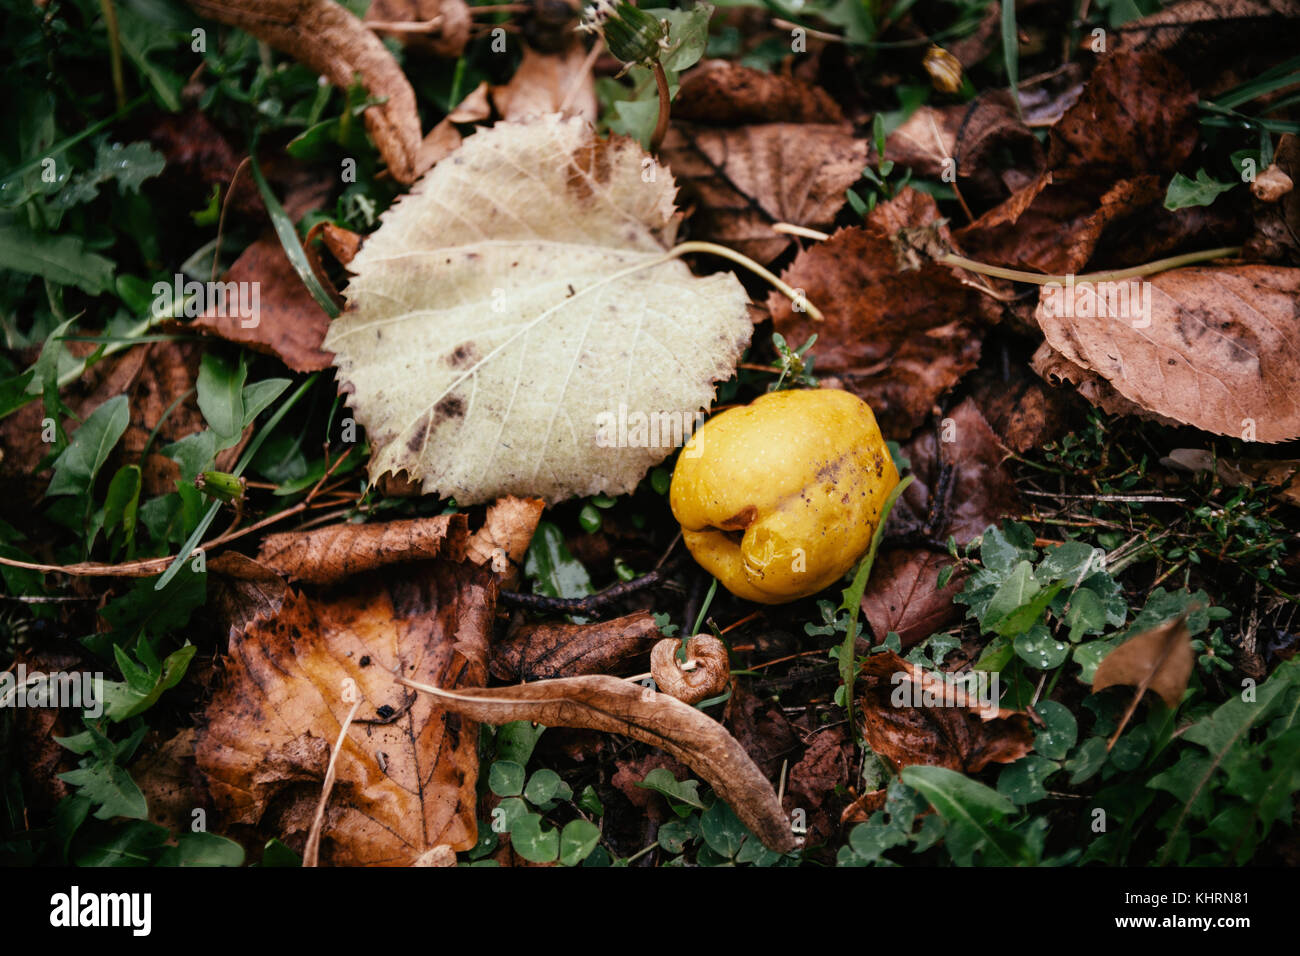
point(778, 500)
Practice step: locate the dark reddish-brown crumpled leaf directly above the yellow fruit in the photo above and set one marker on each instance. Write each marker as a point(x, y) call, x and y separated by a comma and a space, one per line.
point(899, 340)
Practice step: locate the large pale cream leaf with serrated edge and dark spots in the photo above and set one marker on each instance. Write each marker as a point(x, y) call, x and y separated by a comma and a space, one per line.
point(509, 309)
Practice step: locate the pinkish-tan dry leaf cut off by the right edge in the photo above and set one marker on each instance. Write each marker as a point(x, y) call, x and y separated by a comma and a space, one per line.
point(1212, 348)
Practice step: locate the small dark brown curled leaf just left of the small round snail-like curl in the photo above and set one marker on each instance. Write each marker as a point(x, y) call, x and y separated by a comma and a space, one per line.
point(541, 652)
